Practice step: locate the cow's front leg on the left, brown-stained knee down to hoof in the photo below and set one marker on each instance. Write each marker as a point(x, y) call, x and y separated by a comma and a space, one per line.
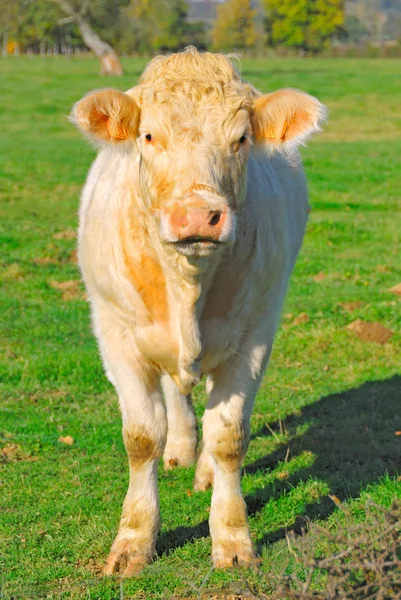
point(144, 433)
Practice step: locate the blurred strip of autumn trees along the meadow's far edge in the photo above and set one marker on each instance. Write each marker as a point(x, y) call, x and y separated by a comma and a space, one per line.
point(253, 27)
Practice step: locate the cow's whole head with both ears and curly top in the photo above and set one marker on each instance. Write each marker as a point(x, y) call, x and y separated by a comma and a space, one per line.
point(193, 122)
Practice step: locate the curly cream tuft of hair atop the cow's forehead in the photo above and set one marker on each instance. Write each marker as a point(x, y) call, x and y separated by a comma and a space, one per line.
point(193, 93)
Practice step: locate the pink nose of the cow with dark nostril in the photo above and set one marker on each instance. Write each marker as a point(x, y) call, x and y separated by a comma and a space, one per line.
point(197, 223)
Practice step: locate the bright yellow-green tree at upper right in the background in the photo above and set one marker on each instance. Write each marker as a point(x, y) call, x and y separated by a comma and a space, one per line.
point(307, 25)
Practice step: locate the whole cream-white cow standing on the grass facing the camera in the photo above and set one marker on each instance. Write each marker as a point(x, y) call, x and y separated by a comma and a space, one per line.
point(191, 220)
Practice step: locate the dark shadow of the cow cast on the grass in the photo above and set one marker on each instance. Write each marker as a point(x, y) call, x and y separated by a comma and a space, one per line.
point(352, 437)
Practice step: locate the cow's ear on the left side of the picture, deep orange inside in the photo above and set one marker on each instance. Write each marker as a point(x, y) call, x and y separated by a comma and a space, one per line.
point(107, 116)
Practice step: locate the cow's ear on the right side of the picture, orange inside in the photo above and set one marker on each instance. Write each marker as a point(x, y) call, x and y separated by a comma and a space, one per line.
point(286, 118)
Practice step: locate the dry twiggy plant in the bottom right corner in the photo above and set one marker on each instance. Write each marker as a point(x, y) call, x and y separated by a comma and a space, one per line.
point(365, 562)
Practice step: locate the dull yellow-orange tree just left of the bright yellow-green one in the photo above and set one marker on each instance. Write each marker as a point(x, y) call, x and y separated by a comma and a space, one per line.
point(235, 28)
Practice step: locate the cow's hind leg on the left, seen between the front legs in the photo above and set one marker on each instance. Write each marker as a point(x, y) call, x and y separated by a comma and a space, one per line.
point(182, 433)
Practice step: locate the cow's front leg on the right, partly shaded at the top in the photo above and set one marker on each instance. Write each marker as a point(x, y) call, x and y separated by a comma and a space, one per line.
point(226, 438)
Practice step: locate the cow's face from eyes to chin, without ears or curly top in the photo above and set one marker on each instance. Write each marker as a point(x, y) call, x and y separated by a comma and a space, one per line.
point(193, 168)
